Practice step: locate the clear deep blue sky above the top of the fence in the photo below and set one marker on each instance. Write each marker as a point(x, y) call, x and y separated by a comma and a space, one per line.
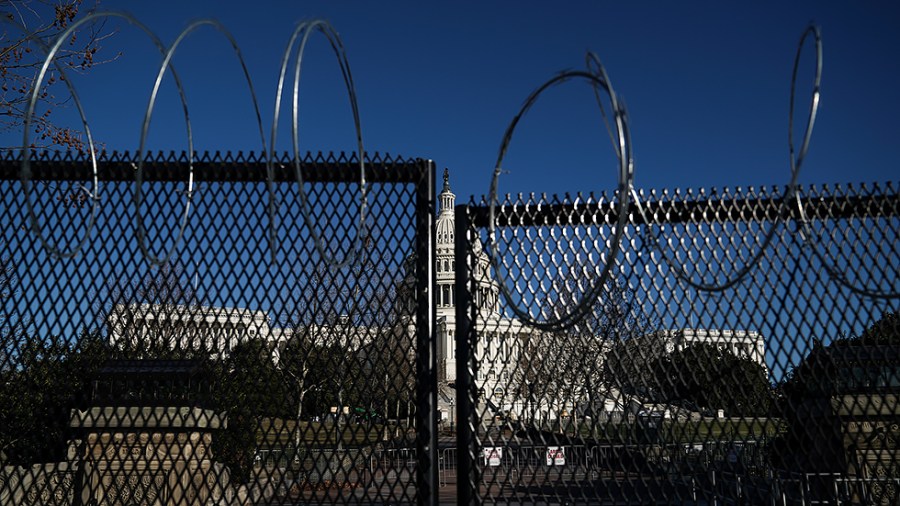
point(706, 84)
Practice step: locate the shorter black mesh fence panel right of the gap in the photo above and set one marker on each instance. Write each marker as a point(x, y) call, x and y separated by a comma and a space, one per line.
point(730, 347)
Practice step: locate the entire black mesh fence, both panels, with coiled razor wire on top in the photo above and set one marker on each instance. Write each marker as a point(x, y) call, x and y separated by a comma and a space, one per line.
point(733, 345)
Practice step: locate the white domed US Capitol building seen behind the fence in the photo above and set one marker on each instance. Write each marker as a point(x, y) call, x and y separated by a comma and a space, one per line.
point(499, 349)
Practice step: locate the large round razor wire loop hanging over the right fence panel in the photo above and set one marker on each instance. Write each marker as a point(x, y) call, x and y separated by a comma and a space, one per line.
point(599, 80)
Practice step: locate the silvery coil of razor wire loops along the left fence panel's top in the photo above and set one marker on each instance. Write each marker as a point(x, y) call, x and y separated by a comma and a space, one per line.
point(302, 32)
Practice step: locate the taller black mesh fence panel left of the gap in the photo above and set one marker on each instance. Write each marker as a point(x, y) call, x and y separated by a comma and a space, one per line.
point(209, 332)
